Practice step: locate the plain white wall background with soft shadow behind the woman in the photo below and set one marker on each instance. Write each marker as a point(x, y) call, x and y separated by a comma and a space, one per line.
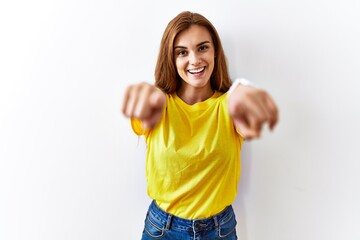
point(71, 168)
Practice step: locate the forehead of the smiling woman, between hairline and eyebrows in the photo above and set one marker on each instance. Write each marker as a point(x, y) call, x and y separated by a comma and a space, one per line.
point(192, 36)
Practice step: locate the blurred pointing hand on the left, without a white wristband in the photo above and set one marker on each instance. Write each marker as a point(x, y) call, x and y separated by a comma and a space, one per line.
point(144, 102)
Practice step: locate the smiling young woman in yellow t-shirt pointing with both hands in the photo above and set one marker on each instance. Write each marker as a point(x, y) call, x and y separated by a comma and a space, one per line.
point(194, 127)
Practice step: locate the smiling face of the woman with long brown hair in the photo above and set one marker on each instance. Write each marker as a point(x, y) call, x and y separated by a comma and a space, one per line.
point(194, 55)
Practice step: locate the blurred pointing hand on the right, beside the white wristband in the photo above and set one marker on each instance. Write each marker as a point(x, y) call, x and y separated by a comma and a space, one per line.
point(250, 109)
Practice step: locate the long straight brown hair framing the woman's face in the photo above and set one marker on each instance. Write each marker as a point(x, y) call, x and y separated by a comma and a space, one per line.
point(166, 76)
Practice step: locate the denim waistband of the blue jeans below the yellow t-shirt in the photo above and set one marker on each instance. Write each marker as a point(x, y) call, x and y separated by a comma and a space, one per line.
point(171, 221)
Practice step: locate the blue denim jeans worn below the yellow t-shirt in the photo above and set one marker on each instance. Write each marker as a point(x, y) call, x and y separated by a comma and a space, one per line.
point(162, 225)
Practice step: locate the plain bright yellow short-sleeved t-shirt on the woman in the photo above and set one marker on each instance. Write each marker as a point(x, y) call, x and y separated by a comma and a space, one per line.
point(193, 157)
